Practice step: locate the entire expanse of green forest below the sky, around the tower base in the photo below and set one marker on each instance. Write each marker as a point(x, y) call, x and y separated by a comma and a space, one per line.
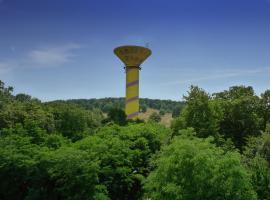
point(217, 148)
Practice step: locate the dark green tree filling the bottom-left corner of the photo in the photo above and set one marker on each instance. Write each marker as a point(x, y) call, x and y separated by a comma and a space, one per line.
point(17, 166)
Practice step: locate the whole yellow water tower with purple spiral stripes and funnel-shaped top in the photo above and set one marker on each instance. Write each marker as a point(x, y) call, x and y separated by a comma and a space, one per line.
point(132, 57)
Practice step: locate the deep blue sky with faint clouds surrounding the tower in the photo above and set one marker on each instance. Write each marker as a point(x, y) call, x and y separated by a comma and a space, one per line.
point(63, 49)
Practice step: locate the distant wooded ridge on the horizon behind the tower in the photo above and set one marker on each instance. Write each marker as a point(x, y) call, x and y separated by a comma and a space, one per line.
point(106, 104)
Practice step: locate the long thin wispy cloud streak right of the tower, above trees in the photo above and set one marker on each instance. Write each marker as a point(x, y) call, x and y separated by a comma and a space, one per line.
point(219, 75)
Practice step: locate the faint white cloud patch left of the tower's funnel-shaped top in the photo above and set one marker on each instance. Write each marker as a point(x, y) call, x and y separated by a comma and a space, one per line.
point(54, 56)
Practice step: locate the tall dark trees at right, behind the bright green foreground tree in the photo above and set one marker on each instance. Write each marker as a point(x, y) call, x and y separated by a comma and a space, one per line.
point(235, 114)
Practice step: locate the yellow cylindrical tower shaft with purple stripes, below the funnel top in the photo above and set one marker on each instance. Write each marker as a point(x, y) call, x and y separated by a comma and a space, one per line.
point(132, 92)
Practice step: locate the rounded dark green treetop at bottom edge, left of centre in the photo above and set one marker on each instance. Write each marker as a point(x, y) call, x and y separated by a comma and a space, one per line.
point(73, 175)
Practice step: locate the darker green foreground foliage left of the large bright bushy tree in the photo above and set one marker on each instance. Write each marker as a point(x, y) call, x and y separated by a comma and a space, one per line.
point(113, 163)
